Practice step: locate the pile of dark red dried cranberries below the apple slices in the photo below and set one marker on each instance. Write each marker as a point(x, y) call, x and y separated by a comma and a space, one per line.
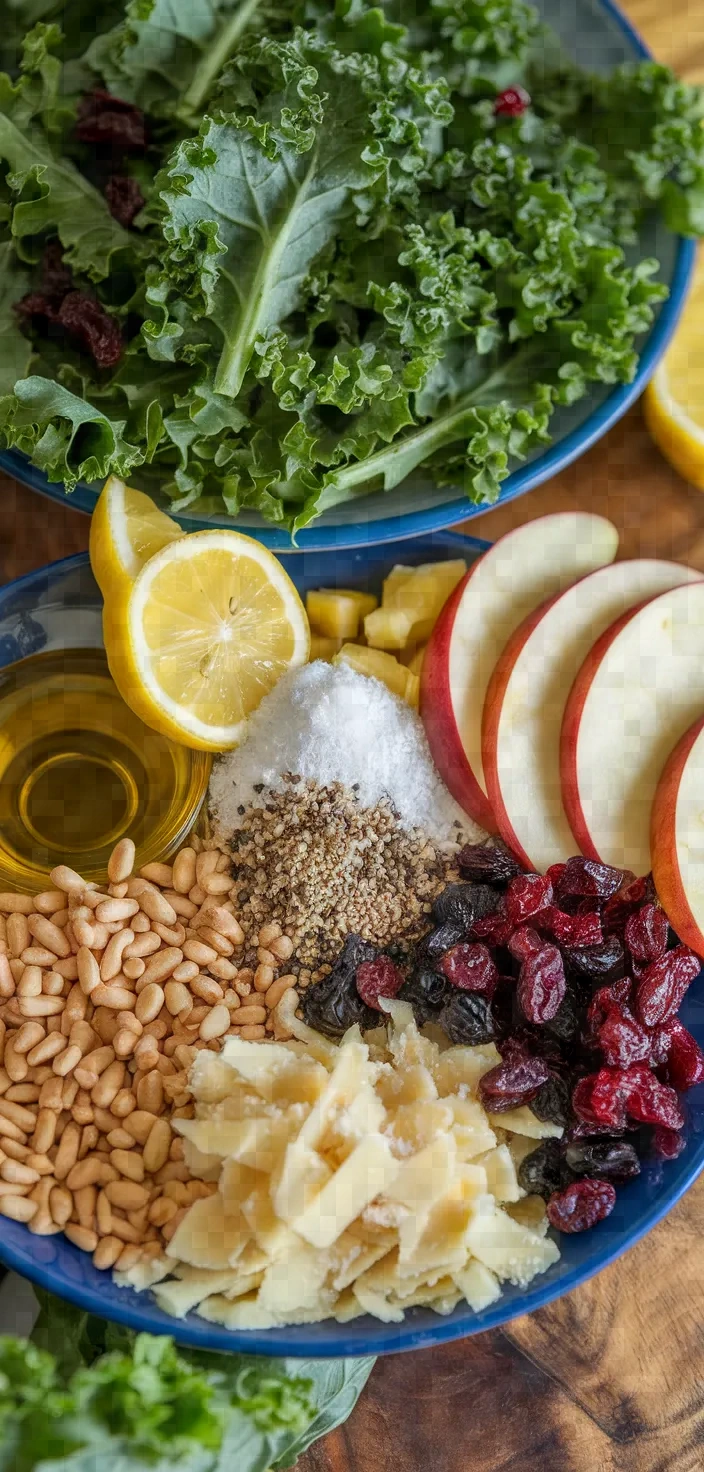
point(578, 980)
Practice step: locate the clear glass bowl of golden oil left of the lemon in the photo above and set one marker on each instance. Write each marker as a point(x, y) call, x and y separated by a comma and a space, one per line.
point(79, 771)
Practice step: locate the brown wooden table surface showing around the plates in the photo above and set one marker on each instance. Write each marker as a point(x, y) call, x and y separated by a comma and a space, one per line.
point(612, 1377)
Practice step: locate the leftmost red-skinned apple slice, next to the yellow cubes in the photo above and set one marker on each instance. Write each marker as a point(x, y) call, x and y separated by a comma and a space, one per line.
point(503, 587)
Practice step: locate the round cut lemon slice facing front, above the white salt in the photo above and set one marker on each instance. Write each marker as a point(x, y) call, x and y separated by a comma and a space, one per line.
point(211, 623)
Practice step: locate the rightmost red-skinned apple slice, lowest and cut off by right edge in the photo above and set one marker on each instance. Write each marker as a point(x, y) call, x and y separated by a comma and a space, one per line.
point(678, 838)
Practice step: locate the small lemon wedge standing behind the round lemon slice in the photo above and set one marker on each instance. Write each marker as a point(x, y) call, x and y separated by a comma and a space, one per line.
point(127, 529)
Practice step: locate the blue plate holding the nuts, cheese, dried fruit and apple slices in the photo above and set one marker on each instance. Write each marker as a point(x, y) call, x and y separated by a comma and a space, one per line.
point(61, 606)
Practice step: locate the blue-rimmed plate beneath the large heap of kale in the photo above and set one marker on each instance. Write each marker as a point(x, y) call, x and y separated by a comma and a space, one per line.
point(600, 38)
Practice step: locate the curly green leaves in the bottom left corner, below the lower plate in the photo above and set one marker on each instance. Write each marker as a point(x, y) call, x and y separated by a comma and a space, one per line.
point(85, 1396)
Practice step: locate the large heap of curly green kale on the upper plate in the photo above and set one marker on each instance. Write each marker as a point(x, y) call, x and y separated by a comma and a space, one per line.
point(351, 267)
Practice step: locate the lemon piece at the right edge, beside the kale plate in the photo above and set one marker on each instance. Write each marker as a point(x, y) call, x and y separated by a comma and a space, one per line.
point(675, 398)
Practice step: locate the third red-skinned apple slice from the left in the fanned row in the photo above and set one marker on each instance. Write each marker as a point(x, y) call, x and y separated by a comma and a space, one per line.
point(636, 696)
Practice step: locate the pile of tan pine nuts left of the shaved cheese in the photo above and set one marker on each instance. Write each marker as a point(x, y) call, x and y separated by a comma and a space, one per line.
point(105, 999)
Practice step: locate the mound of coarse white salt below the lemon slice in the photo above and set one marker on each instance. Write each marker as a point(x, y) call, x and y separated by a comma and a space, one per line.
point(329, 723)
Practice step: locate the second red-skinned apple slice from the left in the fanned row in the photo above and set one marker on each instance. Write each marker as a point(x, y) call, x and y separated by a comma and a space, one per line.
point(527, 698)
